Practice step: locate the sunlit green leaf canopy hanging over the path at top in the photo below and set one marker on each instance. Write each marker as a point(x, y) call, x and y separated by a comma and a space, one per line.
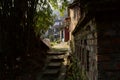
point(44, 14)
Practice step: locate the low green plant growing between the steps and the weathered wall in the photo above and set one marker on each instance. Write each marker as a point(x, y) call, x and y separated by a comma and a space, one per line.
point(75, 71)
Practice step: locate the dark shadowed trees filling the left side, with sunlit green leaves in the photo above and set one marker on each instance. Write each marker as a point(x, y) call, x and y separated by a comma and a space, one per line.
point(22, 53)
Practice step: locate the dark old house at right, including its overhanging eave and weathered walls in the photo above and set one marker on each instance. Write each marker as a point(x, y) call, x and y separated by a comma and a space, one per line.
point(97, 38)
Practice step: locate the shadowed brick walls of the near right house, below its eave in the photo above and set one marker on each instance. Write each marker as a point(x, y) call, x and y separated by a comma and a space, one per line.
point(97, 46)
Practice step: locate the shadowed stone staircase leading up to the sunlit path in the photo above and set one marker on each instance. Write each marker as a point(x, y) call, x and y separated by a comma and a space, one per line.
point(55, 68)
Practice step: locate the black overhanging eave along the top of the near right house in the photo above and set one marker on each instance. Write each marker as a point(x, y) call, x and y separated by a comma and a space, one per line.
point(94, 8)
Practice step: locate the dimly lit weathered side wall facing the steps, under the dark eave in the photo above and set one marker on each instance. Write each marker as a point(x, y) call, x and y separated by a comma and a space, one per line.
point(86, 49)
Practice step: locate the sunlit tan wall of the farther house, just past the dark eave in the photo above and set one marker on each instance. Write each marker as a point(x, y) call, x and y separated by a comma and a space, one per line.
point(75, 15)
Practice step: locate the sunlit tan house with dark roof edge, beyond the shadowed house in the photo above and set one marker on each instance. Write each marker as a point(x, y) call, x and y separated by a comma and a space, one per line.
point(74, 15)
